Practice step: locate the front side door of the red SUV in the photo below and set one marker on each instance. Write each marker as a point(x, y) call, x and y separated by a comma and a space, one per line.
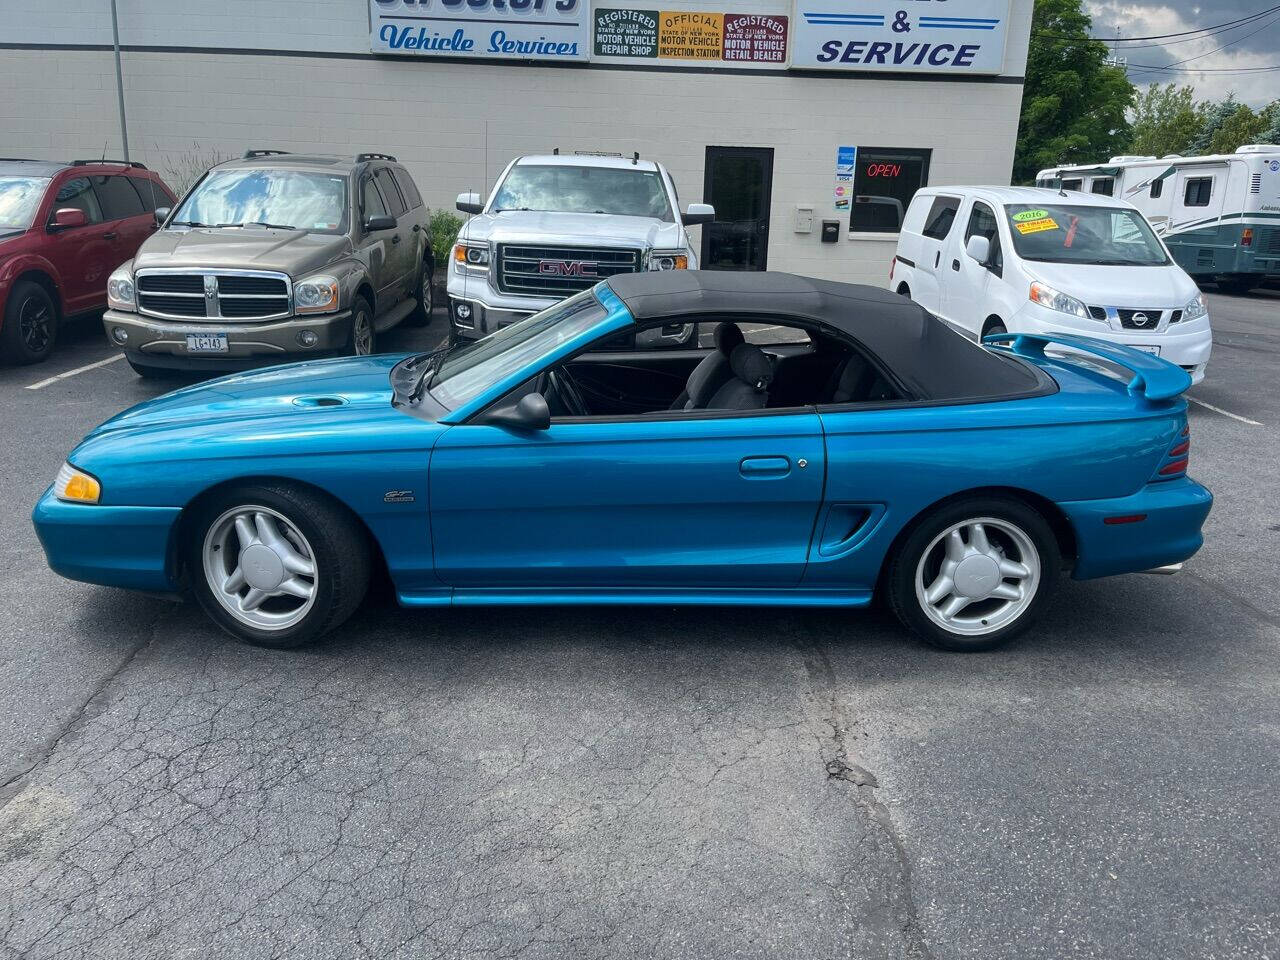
point(84, 257)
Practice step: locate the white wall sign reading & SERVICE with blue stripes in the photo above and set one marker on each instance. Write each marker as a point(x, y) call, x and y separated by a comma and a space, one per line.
point(934, 36)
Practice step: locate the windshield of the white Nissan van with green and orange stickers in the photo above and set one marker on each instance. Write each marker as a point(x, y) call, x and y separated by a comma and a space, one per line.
point(1103, 236)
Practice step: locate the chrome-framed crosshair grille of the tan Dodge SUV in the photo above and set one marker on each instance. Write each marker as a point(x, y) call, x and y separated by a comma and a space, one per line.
point(231, 295)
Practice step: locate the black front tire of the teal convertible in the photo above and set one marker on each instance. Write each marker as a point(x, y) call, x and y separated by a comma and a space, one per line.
point(339, 543)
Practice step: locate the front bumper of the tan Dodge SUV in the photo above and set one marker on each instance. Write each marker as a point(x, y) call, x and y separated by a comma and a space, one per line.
point(164, 342)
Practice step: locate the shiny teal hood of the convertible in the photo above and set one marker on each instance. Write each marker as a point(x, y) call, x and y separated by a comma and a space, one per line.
point(342, 387)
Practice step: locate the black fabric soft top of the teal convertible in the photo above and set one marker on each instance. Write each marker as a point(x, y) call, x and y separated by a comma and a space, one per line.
point(927, 358)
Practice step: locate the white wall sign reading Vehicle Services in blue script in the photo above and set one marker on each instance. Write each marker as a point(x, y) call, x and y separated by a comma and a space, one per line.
point(515, 30)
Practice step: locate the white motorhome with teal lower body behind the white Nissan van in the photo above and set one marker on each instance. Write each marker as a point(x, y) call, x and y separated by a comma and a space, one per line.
point(1219, 216)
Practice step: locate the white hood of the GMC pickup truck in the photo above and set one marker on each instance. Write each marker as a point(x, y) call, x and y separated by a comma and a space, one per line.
point(588, 230)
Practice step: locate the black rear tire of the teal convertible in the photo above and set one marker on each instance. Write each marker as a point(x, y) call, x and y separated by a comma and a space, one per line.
point(907, 564)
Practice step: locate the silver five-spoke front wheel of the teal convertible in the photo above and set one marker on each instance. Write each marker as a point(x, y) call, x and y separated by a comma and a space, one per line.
point(260, 568)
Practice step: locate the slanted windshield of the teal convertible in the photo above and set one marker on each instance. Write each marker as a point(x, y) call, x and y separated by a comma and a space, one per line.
point(468, 372)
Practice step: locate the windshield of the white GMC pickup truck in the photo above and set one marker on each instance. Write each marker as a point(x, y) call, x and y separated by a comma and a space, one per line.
point(584, 190)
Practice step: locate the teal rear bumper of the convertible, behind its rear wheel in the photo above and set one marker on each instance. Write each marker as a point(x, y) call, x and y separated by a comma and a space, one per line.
point(1173, 513)
